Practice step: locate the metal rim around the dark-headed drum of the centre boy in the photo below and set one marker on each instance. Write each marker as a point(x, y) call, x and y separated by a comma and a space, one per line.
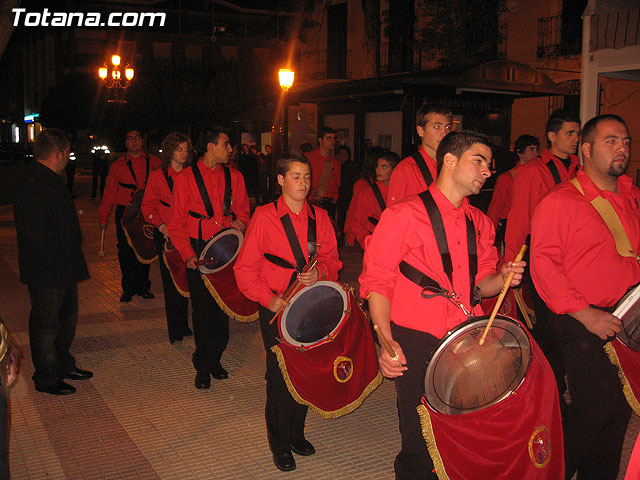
point(283, 318)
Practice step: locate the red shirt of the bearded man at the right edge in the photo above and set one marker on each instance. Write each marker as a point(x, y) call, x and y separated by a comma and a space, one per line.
point(574, 261)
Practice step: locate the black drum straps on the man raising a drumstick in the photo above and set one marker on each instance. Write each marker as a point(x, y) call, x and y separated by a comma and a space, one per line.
point(430, 287)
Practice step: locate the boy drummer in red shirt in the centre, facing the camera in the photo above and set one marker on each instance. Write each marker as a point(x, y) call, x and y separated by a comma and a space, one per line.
point(263, 276)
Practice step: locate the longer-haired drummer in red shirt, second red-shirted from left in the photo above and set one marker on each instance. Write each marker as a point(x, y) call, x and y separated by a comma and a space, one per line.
point(156, 204)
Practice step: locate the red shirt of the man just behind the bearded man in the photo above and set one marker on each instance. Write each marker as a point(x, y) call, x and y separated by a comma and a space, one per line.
point(533, 180)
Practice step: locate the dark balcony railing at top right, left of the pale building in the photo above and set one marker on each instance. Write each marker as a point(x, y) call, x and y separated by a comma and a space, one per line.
point(557, 37)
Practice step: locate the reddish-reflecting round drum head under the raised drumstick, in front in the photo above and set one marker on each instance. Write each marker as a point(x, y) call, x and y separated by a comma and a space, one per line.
point(464, 376)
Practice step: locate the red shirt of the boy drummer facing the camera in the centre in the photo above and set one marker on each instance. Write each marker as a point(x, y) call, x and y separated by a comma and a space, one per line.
point(256, 276)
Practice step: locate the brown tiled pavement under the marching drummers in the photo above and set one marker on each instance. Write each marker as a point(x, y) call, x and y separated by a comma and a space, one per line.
point(140, 417)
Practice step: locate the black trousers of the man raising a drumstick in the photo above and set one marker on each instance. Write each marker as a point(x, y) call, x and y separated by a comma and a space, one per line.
point(413, 461)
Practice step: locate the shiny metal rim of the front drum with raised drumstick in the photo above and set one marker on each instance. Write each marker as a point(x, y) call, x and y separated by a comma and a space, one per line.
point(472, 323)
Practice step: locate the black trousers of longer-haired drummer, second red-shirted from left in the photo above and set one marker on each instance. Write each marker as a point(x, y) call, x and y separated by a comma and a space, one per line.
point(176, 306)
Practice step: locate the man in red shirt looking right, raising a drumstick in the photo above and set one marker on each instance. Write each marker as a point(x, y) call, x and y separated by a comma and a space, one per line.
point(403, 250)
